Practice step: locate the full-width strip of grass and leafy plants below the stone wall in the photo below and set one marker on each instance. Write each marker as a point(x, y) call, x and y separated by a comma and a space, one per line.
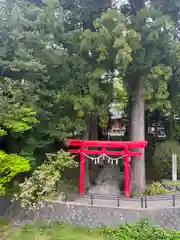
point(139, 230)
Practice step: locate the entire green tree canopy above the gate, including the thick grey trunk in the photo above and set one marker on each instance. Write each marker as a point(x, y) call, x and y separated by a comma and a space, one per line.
point(62, 62)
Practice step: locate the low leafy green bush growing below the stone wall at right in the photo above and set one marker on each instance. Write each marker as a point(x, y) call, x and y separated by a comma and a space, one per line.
point(140, 230)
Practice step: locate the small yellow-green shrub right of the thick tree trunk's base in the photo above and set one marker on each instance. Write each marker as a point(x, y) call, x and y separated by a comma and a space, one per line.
point(157, 188)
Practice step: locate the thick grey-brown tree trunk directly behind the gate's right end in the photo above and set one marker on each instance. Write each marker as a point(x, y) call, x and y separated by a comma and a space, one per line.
point(137, 133)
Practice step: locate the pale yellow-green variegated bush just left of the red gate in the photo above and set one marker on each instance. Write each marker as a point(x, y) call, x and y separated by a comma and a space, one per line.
point(43, 182)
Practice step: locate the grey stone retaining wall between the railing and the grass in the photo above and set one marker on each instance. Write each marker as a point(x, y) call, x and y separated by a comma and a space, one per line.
point(95, 216)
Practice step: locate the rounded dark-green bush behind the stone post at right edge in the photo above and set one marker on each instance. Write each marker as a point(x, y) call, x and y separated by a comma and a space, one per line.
point(162, 160)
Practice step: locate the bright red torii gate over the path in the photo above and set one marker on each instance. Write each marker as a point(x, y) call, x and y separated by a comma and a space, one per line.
point(126, 153)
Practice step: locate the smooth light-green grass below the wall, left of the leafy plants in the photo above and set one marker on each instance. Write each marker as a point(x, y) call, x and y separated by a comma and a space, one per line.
point(51, 232)
